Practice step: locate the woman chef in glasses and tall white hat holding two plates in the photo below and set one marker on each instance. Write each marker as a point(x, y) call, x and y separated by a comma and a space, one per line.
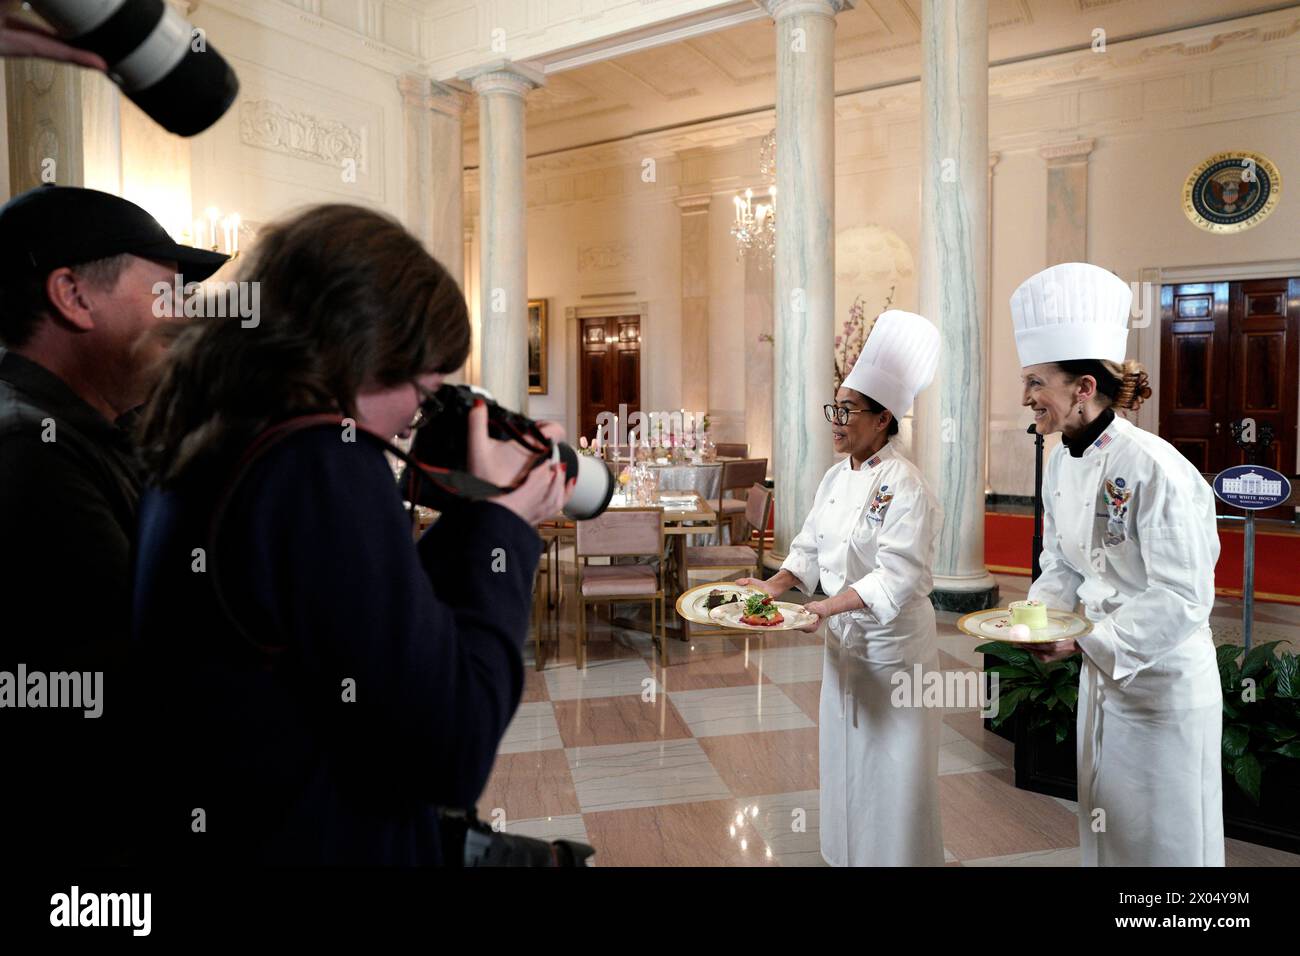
point(870, 540)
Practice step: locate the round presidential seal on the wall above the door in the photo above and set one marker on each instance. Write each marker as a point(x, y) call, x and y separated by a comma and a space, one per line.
point(1232, 192)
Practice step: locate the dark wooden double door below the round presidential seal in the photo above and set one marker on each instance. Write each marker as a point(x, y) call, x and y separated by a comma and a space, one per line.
point(1230, 351)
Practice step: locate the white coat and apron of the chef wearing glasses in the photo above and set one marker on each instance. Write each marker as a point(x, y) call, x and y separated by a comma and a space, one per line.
point(874, 530)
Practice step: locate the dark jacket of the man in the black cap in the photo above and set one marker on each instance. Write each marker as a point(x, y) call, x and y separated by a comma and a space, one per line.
point(70, 491)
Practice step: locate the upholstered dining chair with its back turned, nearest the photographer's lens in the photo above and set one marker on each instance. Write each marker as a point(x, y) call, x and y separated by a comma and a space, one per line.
point(622, 534)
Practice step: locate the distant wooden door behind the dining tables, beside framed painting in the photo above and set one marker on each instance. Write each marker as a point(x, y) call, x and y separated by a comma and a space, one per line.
point(609, 369)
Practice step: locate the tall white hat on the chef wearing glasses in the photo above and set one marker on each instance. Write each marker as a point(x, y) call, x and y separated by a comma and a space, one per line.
point(898, 361)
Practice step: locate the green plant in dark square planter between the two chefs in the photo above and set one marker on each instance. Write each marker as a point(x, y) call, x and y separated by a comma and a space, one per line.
point(1038, 702)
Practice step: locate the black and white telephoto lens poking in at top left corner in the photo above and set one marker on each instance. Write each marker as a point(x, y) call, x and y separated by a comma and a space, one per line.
point(164, 66)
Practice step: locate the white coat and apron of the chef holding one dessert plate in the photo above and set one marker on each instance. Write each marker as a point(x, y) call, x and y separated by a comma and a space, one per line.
point(1130, 531)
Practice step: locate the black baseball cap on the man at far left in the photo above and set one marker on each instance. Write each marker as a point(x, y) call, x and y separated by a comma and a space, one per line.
point(51, 227)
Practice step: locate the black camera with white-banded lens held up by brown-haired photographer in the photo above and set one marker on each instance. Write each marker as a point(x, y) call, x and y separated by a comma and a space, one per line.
point(441, 448)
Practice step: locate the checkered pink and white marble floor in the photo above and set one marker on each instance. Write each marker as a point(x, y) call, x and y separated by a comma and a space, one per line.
point(713, 762)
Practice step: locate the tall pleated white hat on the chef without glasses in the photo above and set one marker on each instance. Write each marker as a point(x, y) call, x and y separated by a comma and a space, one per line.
point(1072, 312)
